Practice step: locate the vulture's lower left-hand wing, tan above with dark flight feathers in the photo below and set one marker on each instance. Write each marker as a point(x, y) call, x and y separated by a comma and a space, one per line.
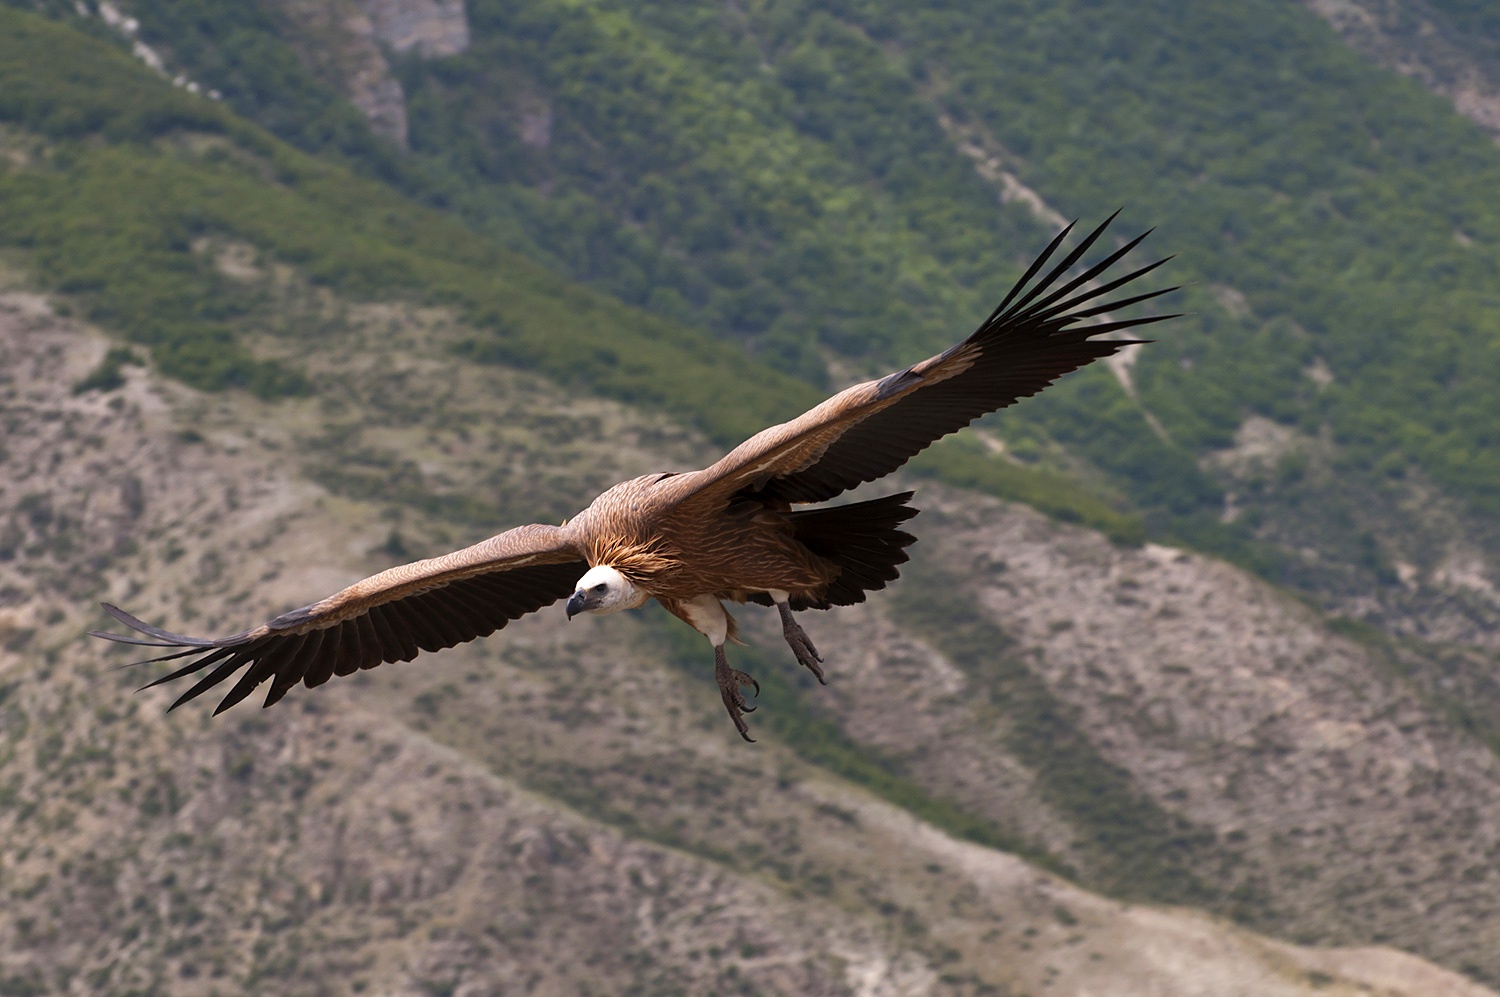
point(389, 617)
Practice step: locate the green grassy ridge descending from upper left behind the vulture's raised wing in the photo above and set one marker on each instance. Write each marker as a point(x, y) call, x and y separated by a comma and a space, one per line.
point(115, 224)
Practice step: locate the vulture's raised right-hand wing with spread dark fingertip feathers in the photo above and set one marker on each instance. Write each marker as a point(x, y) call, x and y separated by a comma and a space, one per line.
point(872, 430)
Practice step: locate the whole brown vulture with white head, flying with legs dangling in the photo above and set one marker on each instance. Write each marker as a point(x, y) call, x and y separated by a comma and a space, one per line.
point(695, 540)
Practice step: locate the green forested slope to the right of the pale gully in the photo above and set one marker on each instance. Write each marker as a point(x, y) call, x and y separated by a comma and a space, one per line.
point(1354, 211)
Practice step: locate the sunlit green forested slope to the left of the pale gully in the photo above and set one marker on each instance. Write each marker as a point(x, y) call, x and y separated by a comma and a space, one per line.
point(683, 176)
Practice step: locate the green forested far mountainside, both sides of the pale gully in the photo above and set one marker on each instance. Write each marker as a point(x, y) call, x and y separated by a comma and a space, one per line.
point(791, 155)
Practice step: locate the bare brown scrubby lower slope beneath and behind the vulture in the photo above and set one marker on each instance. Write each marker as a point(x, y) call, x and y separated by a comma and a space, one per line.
point(557, 810)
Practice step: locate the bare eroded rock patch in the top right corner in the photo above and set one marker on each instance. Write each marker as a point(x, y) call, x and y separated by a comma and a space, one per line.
point(1414, 40)
